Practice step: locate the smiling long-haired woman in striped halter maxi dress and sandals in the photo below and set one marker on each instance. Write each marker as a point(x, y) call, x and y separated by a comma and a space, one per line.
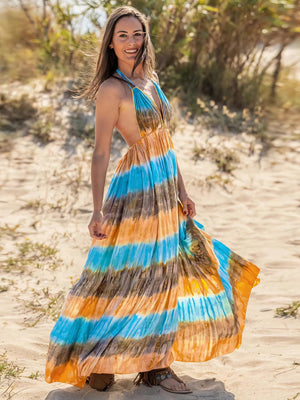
point(155, 287)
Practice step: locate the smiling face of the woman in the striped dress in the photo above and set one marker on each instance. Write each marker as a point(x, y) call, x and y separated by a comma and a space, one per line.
point(127, 39)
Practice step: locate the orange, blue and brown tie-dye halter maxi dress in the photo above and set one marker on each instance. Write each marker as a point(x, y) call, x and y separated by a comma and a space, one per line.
point(158, 288)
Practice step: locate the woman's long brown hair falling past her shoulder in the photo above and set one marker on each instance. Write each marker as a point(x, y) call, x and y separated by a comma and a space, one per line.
point(107, 60)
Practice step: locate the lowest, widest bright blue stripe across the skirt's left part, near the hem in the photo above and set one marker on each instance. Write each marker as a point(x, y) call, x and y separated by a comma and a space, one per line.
point(80, 330)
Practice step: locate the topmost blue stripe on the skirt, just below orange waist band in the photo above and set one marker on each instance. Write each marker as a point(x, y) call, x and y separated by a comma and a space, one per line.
point(143, 177)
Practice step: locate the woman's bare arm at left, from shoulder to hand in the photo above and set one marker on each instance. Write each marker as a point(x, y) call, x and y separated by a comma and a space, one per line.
point(106, 117)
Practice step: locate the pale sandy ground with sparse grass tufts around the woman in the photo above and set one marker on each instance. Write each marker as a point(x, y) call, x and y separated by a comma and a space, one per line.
point(46, 199)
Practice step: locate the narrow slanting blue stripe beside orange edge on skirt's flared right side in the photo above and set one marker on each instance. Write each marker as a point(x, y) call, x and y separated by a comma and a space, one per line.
point(222, 252)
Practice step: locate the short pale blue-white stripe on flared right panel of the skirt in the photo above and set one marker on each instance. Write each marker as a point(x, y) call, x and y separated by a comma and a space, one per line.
point(201, 308)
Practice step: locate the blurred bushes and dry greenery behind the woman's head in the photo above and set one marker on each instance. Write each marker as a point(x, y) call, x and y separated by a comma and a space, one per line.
point(241, 54)
